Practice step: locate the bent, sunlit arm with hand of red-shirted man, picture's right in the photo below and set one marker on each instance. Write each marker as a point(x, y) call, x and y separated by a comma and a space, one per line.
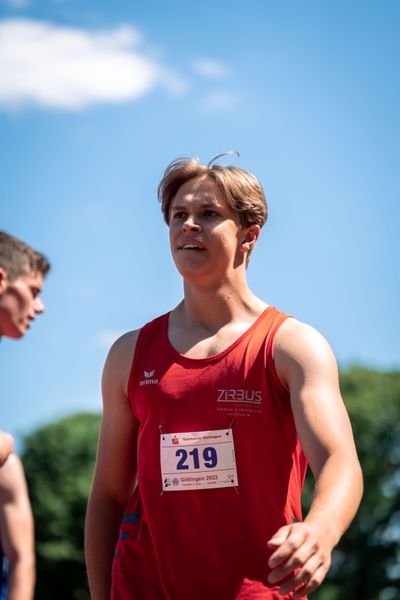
point(306, 365)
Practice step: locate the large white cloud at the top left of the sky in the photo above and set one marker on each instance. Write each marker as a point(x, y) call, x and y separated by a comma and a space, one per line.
point(49, 65)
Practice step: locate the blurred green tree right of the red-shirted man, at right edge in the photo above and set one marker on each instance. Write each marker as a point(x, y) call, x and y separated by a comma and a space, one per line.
point(366, 563)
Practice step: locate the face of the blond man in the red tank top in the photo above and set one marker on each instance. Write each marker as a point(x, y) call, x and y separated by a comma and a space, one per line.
point(205, 232)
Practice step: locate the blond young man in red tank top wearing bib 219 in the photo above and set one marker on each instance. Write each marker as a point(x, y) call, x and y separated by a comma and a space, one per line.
point(211, 413)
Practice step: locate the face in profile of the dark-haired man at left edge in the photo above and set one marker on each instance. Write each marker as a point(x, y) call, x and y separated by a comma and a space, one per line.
point(19, 303)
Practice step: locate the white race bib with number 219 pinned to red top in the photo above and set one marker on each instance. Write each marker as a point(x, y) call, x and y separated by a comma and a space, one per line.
point(198, 460)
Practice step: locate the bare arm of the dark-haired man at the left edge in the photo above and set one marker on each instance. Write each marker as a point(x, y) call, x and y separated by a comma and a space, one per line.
point(17, 531)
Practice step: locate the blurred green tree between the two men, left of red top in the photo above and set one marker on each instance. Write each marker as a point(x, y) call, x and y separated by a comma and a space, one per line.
point(59, 460)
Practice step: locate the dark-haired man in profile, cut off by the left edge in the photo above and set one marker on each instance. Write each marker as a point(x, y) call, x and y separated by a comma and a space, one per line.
point(22, 270)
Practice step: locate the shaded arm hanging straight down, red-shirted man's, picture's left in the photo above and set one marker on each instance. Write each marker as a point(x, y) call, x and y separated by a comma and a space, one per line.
point(115, 470)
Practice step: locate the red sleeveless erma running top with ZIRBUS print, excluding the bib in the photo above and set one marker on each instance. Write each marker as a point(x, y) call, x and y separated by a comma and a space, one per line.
point(209, 543)
